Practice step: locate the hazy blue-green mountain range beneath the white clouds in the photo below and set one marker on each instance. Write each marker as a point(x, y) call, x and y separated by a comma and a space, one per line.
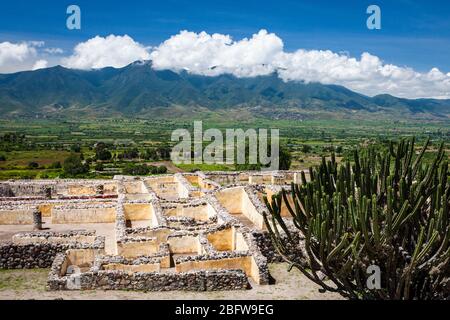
point(139, 90)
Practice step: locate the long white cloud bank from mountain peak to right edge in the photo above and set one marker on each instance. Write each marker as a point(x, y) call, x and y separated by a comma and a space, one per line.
point(263, 53)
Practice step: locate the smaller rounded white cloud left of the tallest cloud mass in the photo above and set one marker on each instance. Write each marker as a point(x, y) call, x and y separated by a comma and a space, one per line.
point(100, 52)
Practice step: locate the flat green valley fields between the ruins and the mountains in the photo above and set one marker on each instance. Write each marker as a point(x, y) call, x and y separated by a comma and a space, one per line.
point(34, 146)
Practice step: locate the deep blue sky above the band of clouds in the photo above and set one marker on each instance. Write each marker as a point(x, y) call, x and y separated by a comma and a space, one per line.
point(414, 33)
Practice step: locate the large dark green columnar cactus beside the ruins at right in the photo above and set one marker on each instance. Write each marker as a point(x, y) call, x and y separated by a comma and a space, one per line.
point(387, 209)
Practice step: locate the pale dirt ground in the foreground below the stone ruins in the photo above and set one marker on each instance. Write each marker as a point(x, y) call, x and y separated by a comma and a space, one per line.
point(30, 284)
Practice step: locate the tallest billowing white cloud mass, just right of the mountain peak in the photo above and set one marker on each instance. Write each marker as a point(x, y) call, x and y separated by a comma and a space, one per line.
point(216, 54)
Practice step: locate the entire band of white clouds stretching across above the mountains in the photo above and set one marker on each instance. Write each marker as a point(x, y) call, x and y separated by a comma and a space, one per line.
point(214, 54)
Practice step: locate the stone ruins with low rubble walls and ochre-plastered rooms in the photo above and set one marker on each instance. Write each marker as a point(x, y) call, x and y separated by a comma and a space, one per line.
point(192, 231)
